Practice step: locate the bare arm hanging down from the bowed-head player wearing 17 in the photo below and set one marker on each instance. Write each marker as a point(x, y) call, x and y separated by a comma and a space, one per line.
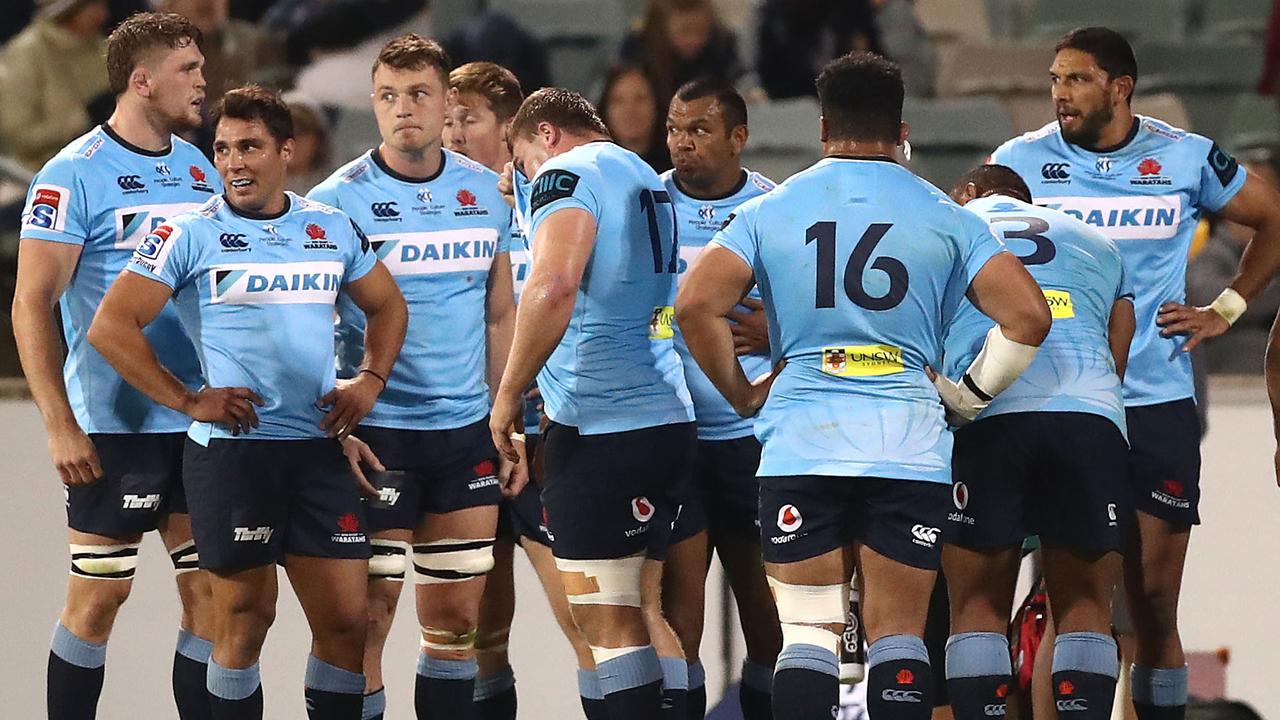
point(565, 241)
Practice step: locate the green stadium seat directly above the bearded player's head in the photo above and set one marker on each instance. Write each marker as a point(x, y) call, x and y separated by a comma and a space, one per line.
point(1154, 20)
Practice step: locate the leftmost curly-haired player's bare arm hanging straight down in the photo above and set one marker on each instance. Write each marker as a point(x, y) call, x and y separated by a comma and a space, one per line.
point(44, 271)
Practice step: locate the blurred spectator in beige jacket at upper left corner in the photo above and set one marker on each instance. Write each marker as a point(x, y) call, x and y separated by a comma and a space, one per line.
point(53, 80)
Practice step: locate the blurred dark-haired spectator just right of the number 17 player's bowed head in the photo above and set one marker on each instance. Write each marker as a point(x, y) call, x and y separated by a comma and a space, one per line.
point(629, 107)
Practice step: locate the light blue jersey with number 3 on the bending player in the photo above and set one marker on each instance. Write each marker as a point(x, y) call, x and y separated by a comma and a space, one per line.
point(1082, 276)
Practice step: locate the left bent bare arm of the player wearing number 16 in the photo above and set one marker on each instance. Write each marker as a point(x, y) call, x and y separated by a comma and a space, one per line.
point(717, 282)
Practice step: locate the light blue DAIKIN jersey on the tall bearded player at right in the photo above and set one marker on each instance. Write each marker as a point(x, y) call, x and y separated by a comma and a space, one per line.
point(1148, 195)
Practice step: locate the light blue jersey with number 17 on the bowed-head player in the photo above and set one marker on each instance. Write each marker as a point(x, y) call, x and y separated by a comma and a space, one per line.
point(616, 368)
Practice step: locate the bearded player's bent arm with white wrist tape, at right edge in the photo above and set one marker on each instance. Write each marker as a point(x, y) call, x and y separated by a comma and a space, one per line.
point(1256, 206)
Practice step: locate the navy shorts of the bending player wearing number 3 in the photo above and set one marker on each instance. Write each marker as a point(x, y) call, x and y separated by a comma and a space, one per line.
point(1059, 476)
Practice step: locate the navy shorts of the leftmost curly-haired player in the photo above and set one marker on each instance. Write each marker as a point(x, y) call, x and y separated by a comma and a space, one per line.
point(141, 484)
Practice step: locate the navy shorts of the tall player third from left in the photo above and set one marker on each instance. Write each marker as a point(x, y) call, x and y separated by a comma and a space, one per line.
point(431, 472)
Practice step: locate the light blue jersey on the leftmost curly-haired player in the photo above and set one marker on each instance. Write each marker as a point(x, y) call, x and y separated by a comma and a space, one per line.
point(106, 195)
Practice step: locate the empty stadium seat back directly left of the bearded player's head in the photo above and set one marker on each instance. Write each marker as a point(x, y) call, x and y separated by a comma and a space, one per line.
point(975, 69)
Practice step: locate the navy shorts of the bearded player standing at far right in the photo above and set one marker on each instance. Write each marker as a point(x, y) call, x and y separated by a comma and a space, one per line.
point(1164, 461)
